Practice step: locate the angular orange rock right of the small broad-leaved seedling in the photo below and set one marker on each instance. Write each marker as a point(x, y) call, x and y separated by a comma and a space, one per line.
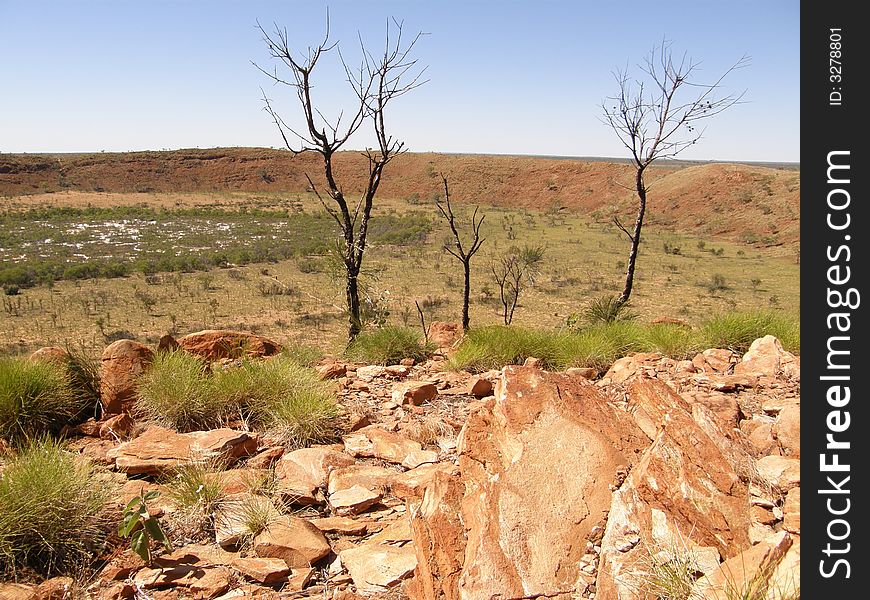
point(295, 540)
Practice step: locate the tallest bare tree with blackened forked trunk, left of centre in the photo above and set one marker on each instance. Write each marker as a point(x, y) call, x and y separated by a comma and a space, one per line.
point(379, 79)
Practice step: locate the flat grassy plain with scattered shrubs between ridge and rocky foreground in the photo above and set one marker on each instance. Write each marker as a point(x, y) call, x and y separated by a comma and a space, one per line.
point(293, 293)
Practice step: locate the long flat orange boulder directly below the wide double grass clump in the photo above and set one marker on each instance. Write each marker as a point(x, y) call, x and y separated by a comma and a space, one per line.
point(159, 450)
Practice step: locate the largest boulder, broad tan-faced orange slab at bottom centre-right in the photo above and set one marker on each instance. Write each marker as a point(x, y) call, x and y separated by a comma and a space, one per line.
point(537, 462)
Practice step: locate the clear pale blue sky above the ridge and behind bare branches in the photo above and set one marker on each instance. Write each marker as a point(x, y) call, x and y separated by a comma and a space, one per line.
point(508, 77)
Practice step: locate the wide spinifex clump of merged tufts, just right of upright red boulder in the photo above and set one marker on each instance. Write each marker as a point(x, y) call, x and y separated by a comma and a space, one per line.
point(277, 393)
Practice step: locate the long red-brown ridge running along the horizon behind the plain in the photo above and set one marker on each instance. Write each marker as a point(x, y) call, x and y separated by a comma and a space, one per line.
point(753, 203)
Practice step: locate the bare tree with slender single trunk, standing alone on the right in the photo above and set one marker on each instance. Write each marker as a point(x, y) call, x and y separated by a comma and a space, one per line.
point(656, 116)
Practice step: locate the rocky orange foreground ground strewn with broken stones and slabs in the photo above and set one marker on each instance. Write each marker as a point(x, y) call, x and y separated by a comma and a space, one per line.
point(518, 483)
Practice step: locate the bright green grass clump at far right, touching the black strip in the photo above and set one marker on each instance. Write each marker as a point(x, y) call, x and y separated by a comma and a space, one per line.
point(736, 331)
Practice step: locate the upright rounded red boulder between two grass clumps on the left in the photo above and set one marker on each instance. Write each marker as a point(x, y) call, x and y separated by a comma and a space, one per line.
point(121, 365)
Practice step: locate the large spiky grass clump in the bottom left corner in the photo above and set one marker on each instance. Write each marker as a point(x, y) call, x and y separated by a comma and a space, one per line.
point(50, 504)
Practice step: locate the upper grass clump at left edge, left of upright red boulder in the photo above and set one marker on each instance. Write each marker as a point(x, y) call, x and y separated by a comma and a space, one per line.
point(36, 397)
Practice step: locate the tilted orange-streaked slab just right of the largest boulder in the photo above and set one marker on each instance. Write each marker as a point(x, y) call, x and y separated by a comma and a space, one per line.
point(683, 492)
